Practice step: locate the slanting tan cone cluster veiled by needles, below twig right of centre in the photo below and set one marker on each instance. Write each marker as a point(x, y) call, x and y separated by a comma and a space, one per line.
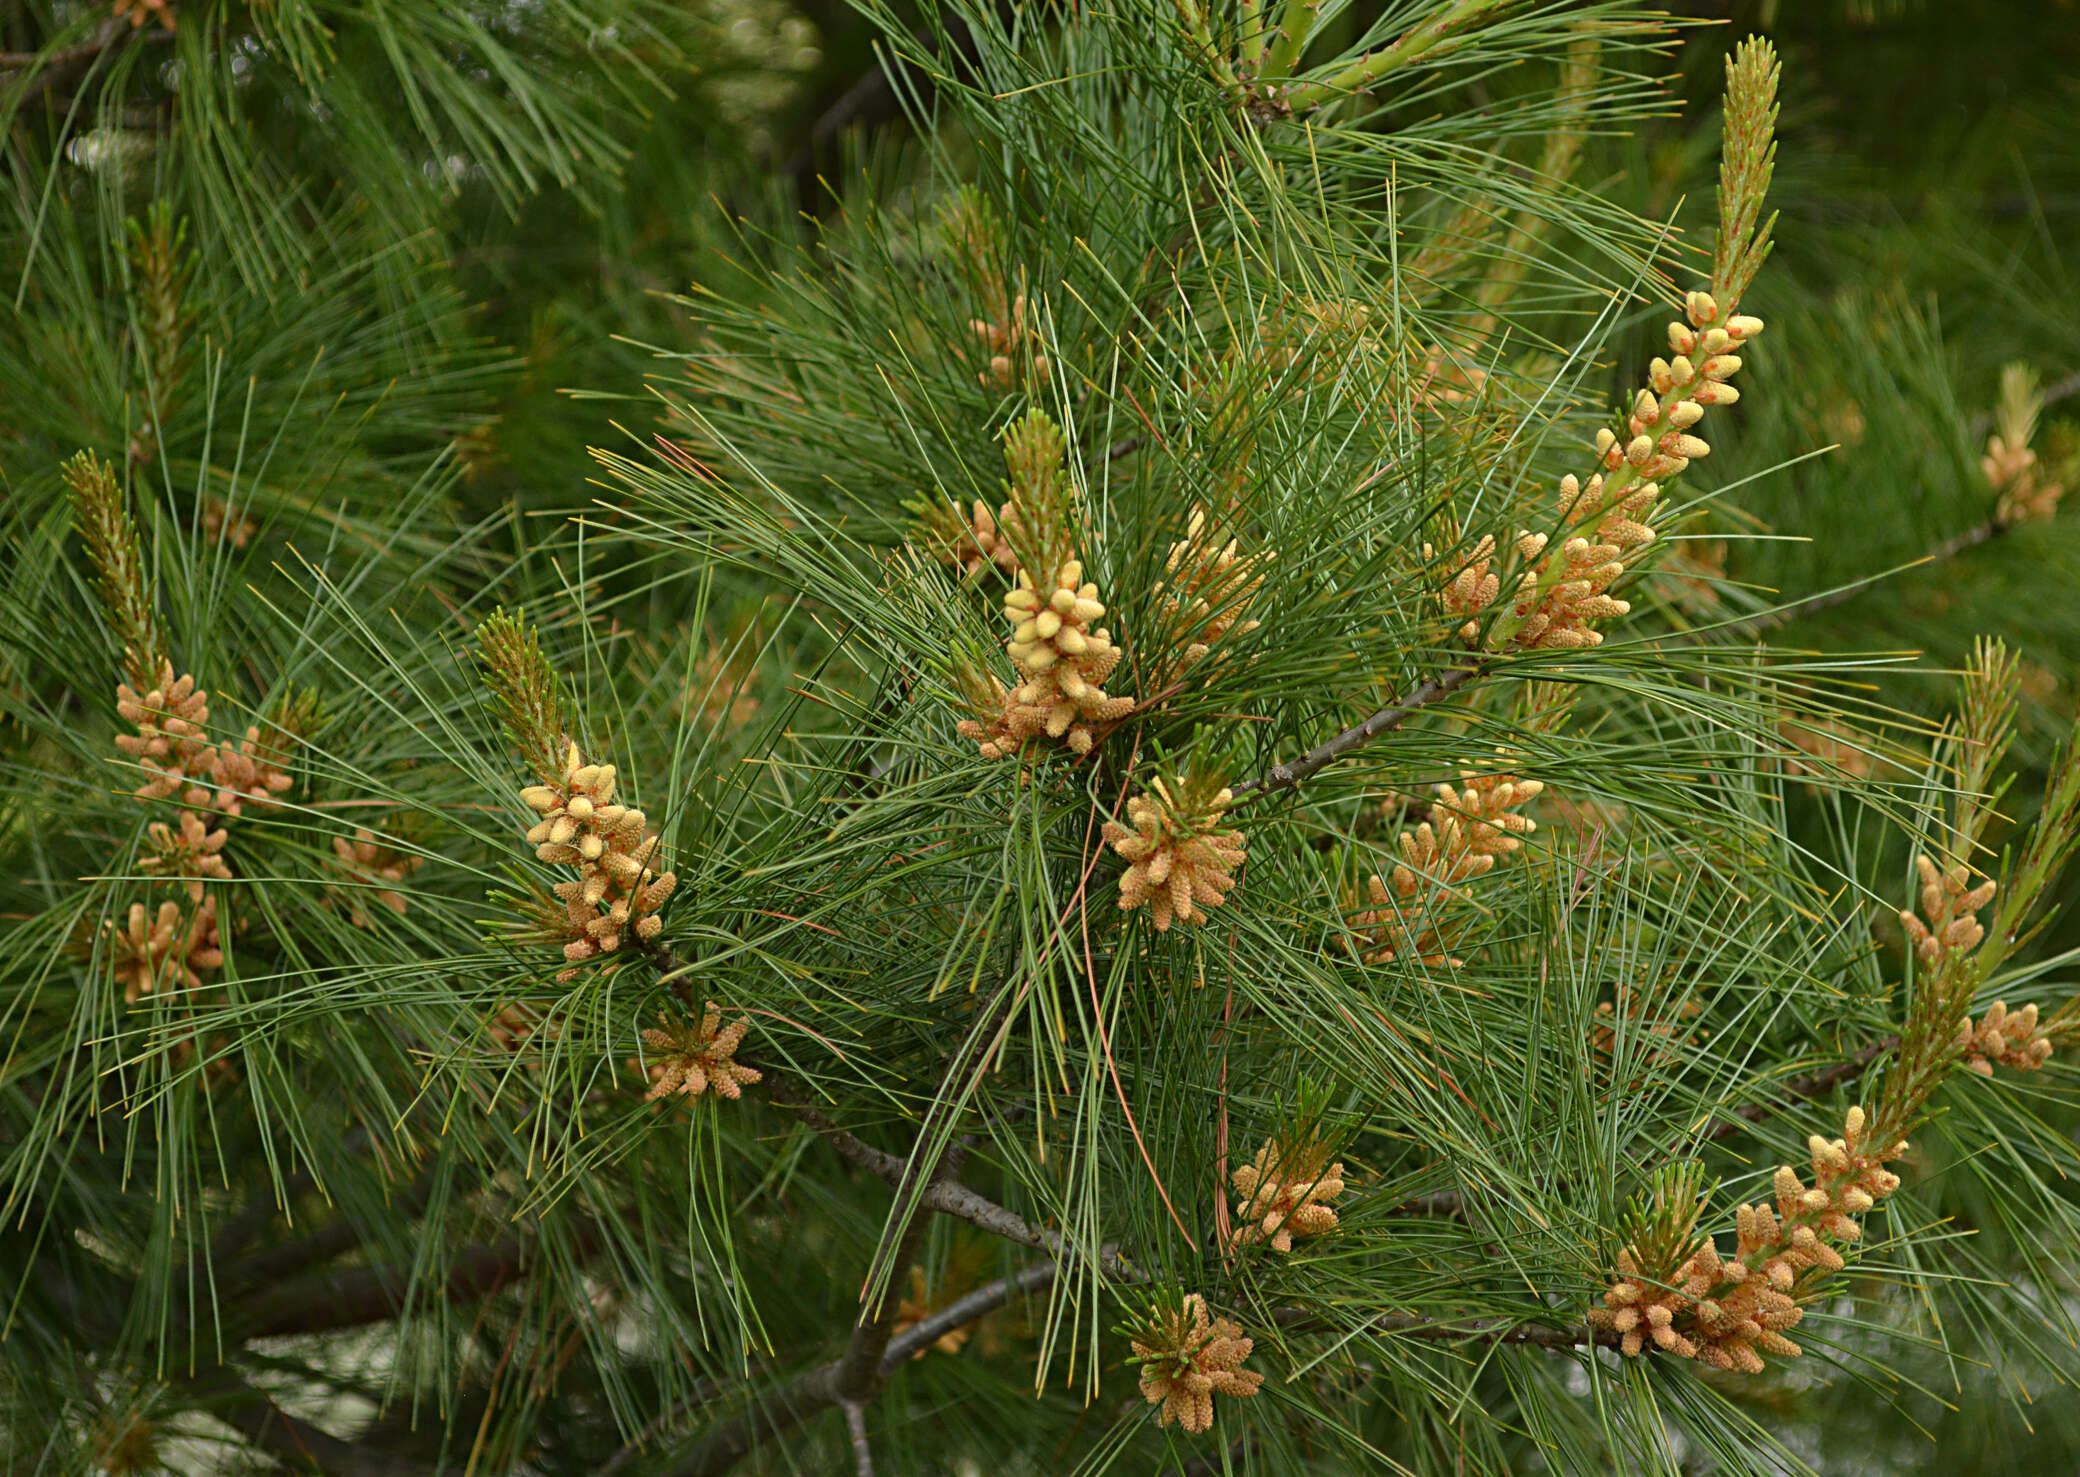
point(1470, 829)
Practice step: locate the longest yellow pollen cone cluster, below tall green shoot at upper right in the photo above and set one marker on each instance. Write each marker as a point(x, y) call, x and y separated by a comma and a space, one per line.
point(1565, 594)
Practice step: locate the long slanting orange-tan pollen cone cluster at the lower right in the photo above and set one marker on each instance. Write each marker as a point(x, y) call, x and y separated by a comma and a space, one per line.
point(1730, 1312)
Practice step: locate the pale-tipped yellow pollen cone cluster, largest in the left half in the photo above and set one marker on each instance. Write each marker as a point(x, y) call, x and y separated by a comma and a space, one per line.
point(615, 852)
